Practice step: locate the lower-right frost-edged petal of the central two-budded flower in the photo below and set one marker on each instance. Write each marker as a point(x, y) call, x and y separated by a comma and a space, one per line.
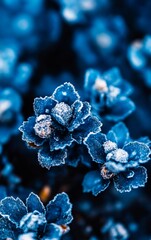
point(91, 125)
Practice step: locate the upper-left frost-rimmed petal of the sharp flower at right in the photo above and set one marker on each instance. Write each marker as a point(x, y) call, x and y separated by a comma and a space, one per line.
point(94, 143)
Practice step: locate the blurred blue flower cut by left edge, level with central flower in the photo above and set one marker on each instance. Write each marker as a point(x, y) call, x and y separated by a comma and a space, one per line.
point(10, 116)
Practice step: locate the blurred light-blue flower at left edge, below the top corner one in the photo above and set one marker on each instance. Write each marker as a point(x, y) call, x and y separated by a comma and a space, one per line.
point(13, 73)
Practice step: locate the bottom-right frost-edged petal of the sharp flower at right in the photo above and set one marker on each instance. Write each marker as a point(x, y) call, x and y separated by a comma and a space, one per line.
point(123, 183)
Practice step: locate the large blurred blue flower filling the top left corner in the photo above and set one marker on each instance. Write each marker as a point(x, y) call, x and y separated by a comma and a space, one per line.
point(30, 24)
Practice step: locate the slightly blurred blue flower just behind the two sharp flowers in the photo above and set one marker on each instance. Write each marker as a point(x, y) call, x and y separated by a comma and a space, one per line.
point(108, 94)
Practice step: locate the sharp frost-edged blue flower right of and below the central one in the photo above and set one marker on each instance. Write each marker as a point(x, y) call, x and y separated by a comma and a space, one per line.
point(119, 158)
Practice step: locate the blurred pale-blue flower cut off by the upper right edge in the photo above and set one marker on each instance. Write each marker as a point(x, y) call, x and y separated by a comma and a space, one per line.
point(139, 56)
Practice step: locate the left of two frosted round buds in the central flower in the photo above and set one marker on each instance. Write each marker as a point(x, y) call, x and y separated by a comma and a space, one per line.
point(43, 126)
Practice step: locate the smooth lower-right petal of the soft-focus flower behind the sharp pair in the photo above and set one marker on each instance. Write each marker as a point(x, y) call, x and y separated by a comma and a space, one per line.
point(120, 110)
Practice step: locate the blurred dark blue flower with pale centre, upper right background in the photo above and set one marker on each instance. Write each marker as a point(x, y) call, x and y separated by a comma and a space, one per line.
point(103, 37)
